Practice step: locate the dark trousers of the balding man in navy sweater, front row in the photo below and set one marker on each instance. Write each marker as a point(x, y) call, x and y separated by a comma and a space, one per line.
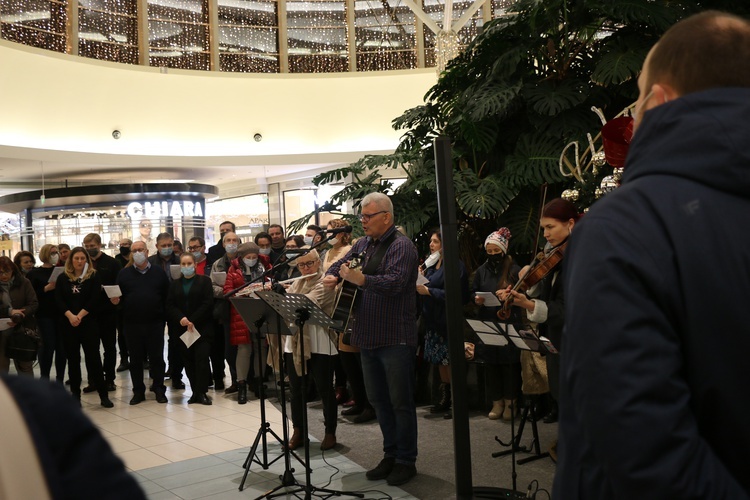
point(146, 338)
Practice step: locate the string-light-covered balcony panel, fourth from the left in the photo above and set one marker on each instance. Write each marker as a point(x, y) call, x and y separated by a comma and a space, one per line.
point(248, 36)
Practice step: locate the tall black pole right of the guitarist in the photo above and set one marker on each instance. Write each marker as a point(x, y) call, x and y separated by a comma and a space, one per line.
point(454, 316)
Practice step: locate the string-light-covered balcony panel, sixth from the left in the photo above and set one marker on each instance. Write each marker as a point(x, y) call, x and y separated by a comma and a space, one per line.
point(385, 33)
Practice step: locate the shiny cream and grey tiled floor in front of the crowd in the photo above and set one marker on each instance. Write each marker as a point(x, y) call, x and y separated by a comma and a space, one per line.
point(181, 451)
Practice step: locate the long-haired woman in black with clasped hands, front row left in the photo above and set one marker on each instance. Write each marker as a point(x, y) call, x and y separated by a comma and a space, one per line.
point(77, 293)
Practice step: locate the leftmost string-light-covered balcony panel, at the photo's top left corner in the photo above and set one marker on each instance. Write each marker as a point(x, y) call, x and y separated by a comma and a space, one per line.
point(39, 23)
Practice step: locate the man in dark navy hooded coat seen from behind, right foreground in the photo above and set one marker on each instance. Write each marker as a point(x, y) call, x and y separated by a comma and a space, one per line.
point(654, 402)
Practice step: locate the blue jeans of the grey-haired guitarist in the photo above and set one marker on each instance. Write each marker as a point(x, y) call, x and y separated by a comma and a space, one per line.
point(389, 379)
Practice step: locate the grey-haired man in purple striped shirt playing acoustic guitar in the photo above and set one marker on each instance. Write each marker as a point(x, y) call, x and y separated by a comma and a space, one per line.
point(384, 328)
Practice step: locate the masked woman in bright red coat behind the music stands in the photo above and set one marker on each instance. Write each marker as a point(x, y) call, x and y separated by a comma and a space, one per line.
point(247, 267)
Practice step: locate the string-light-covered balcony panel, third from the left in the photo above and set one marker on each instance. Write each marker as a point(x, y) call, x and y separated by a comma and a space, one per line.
point(178, 34)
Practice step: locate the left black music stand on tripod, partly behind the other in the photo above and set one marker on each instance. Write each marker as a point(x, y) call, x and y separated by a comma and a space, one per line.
point(257, 313)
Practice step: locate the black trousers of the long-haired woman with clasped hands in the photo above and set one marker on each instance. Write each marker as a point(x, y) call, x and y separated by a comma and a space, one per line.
point(85, 335)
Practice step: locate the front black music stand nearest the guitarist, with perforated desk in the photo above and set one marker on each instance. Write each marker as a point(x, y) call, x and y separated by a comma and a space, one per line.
point(298, 309)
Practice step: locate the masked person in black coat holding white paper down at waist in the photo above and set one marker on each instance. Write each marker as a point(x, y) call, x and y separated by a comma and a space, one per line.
point(189, 309)
